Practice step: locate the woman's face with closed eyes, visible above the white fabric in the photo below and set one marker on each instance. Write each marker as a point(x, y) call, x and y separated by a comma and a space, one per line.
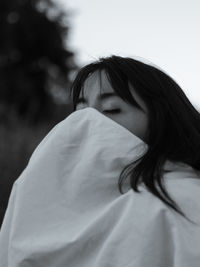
point(113, 106)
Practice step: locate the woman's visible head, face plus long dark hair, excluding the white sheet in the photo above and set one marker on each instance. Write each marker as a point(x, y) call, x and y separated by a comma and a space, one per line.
point(151, 105)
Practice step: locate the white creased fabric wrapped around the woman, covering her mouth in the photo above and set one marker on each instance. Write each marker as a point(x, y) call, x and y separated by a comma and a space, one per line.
point(65, 209)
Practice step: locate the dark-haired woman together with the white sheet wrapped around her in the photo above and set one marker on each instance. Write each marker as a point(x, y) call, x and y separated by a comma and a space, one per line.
point(66, 209)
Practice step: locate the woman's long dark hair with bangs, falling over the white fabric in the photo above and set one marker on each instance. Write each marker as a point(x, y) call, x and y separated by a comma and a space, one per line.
point(173, 126)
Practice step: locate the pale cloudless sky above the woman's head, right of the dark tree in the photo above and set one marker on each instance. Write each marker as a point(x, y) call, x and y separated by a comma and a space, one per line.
point(166, 33)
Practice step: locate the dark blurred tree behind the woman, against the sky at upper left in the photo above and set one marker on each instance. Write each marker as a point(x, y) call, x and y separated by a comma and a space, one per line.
point(34, 61)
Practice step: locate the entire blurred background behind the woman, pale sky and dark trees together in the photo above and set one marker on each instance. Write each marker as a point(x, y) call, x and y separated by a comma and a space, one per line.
point(44, 43)
